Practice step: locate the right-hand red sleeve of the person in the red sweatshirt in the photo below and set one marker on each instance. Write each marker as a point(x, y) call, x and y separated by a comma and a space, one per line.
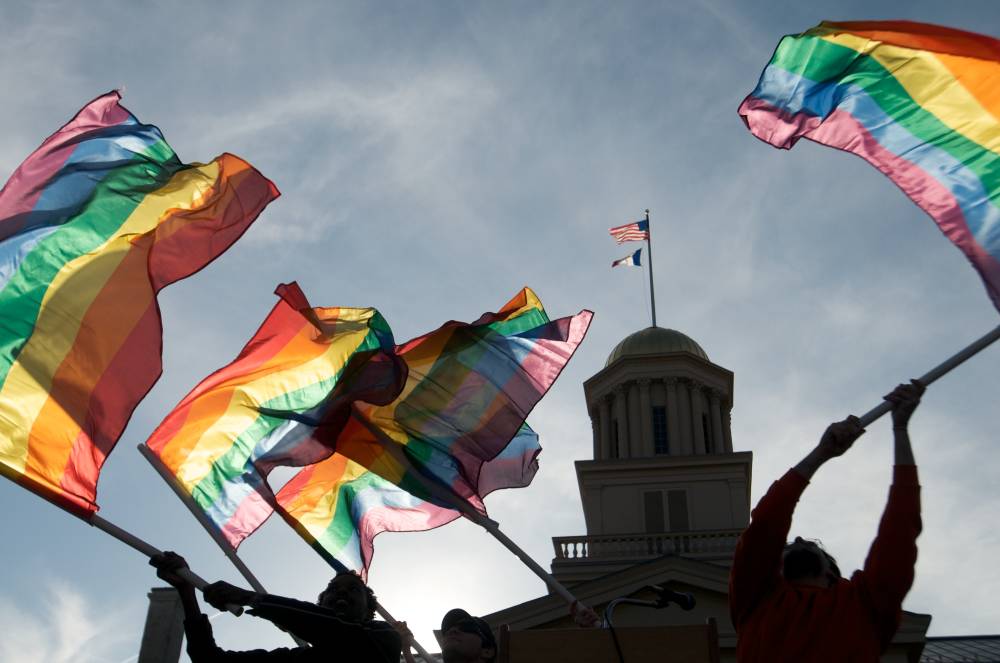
point(888, 572)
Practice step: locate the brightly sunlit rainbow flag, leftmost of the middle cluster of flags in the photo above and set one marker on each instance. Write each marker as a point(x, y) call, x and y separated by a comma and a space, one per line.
point(218, 443)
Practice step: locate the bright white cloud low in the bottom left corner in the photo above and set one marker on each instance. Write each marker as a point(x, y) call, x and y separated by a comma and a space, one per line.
point(66, 628)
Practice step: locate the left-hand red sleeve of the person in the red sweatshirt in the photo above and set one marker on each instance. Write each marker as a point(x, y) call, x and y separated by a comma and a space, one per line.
point(757, 562)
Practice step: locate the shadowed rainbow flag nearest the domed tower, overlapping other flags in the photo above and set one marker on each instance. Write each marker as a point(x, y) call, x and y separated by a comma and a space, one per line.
point(469, 388)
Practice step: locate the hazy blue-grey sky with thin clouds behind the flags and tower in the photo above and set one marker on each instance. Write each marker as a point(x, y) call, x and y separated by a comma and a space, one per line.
point(434, 158)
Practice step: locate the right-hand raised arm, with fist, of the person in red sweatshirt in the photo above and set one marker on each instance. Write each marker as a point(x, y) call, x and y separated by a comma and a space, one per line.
point(889, 569)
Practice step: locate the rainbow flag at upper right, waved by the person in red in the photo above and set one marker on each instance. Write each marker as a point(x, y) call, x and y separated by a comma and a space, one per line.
point(919, 102)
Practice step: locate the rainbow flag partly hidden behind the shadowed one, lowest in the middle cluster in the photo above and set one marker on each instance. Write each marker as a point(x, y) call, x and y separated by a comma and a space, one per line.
point(339, 507)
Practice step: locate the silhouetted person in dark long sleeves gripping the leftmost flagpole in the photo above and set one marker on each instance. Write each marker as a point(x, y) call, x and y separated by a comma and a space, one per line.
point(340, 626)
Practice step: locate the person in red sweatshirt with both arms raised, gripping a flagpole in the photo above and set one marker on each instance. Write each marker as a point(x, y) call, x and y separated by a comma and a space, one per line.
point(789, 602)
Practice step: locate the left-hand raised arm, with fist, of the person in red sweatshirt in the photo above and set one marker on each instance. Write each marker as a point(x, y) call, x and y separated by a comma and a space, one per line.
point(757, 563)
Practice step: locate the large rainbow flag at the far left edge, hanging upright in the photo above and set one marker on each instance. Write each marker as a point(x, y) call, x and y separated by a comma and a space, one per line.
point(92, 225)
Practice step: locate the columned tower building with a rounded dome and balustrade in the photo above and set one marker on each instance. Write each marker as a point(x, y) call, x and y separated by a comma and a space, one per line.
point(664, 498)
